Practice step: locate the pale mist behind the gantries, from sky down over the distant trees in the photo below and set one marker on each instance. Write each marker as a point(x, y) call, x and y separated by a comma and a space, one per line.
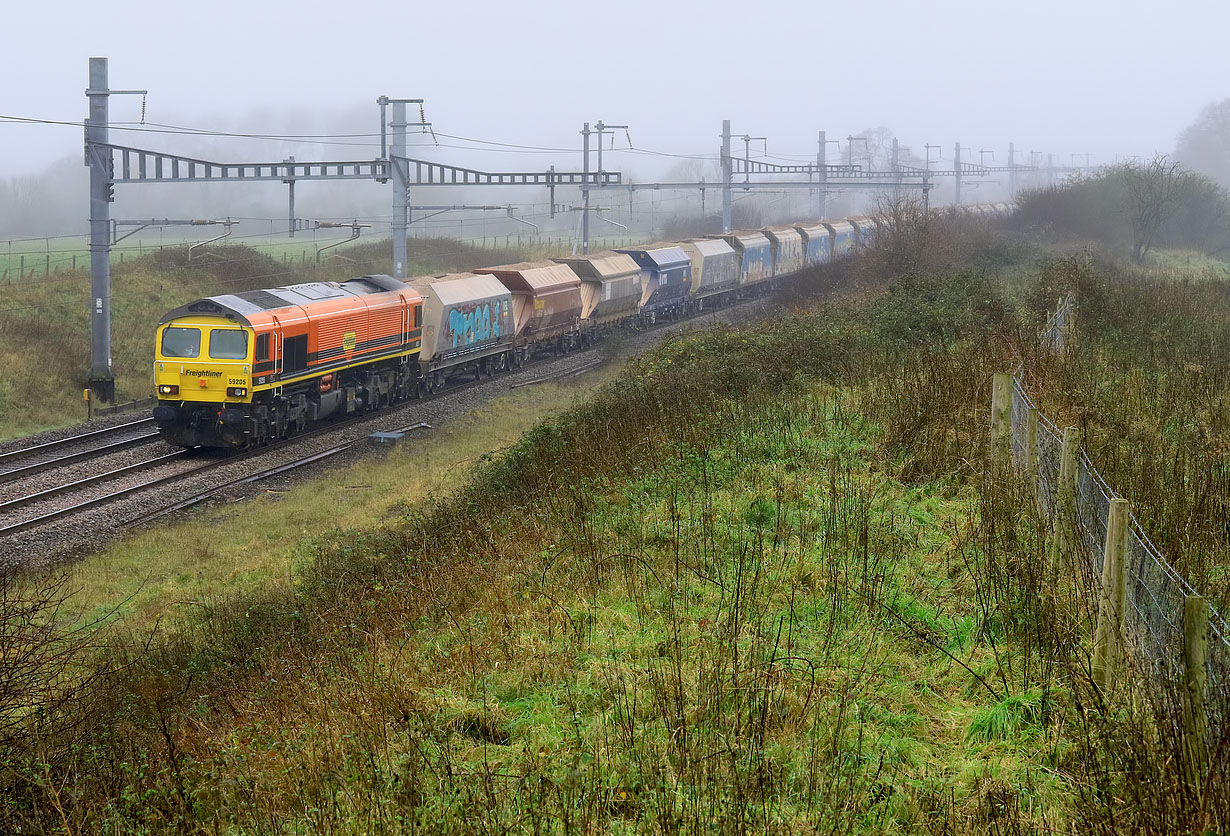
point(509, 89)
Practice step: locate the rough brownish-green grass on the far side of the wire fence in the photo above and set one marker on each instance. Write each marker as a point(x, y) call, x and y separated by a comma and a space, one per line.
point(1146, 388)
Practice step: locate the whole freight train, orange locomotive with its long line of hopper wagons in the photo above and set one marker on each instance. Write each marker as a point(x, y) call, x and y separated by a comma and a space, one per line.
point(242, 369)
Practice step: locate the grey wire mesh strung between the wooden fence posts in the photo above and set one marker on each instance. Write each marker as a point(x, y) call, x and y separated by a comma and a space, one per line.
point(1156, 592)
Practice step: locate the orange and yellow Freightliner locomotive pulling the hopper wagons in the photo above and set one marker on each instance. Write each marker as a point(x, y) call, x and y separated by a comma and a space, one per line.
point(242, 369)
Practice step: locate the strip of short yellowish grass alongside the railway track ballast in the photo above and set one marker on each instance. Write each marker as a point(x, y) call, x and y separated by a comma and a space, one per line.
point(221, 553)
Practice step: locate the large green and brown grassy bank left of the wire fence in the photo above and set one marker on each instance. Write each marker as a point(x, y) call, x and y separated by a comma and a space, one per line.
point(661, 655)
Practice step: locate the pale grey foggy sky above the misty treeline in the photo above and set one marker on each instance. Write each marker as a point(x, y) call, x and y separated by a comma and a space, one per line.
point(1114, 78)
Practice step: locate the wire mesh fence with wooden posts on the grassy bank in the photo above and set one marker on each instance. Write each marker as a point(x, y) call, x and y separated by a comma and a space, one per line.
point(1149, 618)
